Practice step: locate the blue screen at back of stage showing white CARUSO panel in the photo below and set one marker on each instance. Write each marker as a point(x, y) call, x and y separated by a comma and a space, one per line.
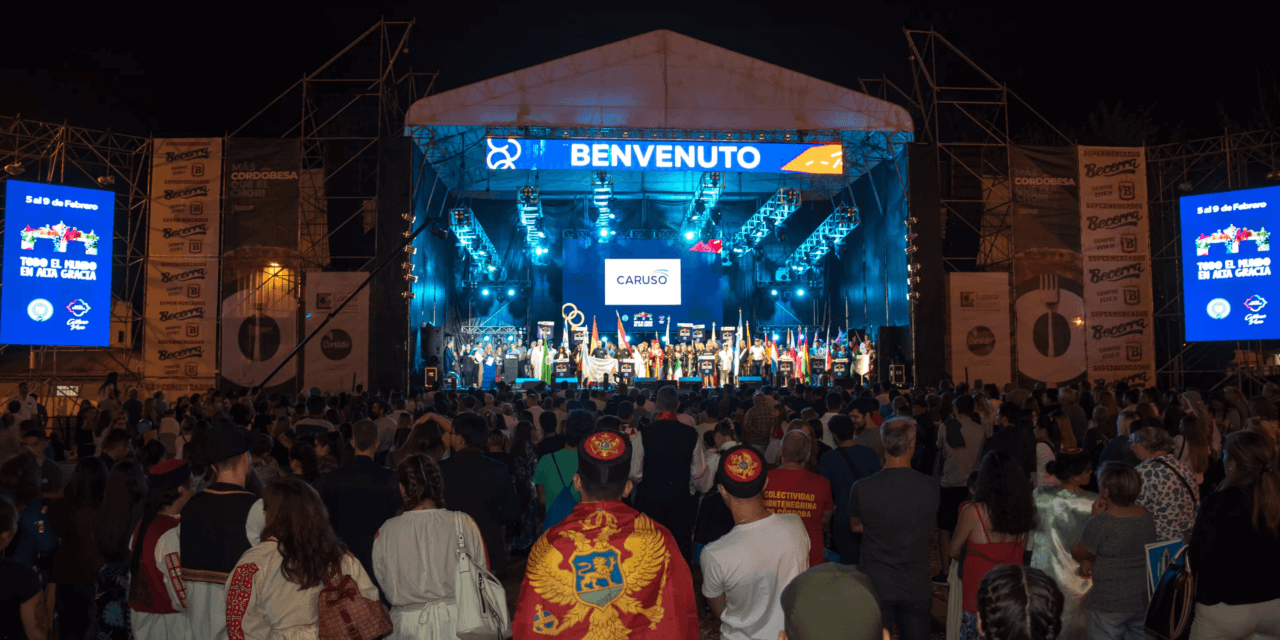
point(644, 282)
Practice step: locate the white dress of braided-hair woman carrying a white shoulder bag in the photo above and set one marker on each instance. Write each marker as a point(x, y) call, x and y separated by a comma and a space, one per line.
point(417, 563)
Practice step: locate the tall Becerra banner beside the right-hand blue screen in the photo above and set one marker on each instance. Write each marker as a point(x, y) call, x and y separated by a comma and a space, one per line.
point(1116, 239)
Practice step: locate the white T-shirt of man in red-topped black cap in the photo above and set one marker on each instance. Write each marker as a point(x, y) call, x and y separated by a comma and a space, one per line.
point(751, 566)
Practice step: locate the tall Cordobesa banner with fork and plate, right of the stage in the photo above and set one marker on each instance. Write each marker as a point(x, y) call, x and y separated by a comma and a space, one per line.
point(1049, 304)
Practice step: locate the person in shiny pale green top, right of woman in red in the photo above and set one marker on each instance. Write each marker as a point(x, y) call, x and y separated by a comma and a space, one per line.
point(1060, 513)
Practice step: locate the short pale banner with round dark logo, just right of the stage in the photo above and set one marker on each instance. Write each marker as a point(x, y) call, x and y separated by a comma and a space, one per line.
point(981, 333)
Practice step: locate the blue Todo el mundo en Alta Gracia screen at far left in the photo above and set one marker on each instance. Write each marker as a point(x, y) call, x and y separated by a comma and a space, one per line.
point(57, 266)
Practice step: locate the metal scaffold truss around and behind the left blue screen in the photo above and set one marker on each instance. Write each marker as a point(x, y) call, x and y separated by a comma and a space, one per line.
point(61, 154)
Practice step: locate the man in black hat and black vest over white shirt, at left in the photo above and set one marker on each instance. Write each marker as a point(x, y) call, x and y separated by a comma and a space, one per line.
point(220, 525)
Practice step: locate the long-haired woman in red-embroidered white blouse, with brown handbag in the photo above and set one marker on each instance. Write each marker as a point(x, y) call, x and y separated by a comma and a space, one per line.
point(273, 591)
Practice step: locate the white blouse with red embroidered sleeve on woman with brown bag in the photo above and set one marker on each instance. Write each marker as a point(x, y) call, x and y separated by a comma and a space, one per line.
point(263, 605)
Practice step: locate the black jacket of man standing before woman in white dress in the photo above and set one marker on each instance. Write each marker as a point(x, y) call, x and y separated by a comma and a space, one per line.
point(482, 488)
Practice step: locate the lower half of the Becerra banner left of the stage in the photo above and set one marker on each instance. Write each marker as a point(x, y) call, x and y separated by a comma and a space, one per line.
point(181, 319)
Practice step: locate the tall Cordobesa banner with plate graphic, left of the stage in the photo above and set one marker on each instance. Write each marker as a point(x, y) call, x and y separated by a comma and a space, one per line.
point(260, 284)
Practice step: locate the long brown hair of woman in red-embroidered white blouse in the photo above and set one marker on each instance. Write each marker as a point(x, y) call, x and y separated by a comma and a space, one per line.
point(300, 525)
